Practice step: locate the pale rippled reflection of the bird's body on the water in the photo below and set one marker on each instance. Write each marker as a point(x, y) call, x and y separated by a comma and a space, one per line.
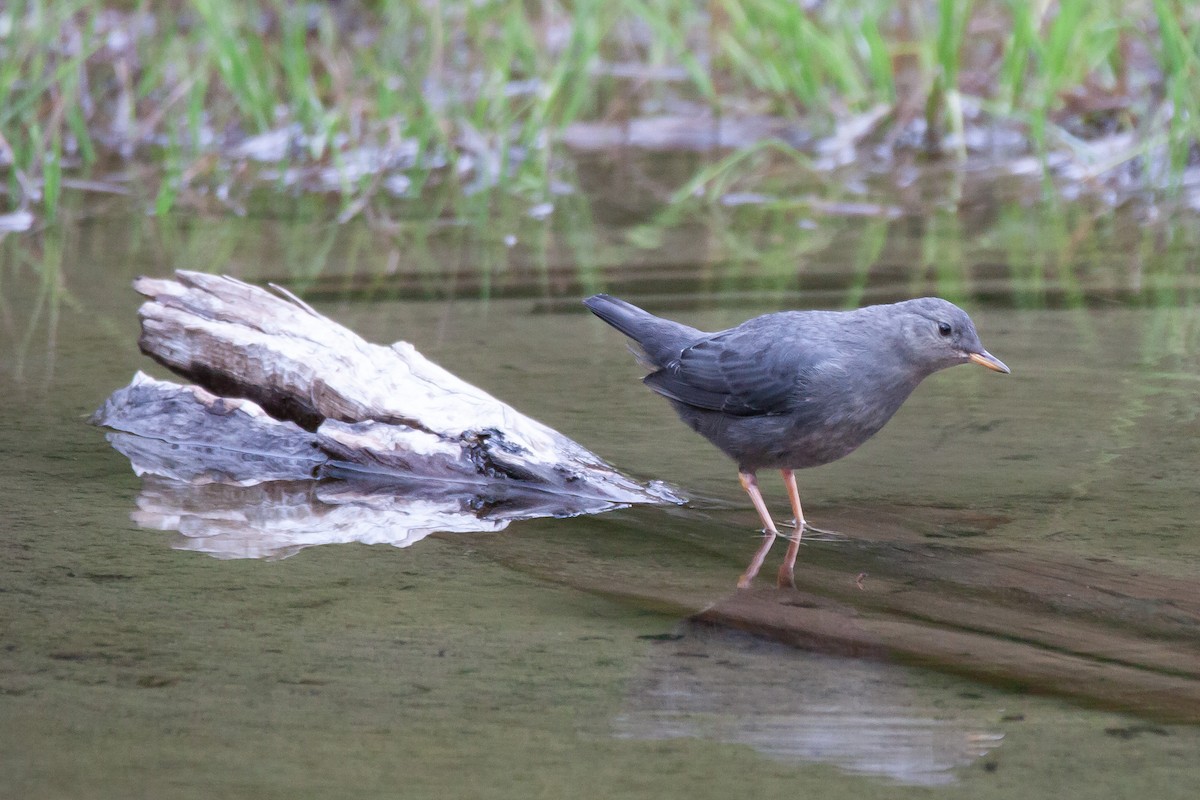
point(860, 715)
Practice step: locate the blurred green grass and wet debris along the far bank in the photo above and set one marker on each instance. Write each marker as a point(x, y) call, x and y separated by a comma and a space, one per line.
point(455, 104)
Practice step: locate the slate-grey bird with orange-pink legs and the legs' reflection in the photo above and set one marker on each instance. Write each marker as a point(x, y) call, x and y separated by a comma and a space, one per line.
point(796, 389)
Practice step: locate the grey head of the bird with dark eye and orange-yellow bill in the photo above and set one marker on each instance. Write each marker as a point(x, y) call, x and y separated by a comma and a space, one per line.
point(938, 334)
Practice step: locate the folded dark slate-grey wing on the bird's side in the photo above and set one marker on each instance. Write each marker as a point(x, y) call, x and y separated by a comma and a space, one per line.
point(740, 372)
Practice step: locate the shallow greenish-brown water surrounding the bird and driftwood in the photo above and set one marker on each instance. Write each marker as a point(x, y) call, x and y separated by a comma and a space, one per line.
point(563, 658)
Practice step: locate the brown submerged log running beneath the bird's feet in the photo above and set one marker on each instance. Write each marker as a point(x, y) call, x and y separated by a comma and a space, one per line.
point(1033, 621)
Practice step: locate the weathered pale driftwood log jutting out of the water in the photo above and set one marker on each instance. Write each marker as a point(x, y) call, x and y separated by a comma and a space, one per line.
point(287, 394)
